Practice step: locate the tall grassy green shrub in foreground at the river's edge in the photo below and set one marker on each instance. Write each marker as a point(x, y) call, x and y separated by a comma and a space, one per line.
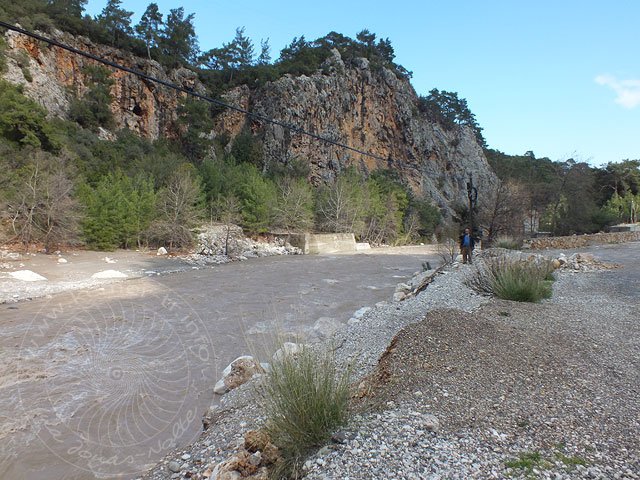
point(306, 399)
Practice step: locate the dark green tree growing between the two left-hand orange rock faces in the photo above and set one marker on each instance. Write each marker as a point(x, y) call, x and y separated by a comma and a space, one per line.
point(93, 109)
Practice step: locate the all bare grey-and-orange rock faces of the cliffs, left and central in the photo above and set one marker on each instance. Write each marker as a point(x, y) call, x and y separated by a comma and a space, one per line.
point(369, 109)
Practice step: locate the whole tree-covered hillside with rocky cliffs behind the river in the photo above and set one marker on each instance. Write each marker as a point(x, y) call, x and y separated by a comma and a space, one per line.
point(118, 162)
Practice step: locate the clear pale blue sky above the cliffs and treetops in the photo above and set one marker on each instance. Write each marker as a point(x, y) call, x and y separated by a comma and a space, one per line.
point(559, 78)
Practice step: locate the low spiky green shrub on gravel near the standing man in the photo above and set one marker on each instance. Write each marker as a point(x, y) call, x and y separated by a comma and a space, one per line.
point(510, 279)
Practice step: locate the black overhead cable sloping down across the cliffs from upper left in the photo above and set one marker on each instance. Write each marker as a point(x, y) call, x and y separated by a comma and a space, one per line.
point(138, 73)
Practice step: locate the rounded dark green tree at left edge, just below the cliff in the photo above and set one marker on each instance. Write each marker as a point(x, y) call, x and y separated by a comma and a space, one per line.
point(23, 121)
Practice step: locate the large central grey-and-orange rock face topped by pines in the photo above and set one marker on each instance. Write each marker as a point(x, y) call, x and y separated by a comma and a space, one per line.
point(370, 110)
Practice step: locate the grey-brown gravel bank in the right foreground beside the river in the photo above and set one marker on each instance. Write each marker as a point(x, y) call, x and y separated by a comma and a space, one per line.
point(472, 387)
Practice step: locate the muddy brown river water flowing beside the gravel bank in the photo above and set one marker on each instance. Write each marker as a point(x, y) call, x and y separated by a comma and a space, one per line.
point(102, 383)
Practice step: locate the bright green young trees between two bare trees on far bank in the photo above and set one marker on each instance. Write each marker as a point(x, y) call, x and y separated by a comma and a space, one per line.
point(119, 210)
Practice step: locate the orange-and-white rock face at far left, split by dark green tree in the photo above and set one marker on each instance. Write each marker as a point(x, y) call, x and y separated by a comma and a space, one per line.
point(57, 76)
